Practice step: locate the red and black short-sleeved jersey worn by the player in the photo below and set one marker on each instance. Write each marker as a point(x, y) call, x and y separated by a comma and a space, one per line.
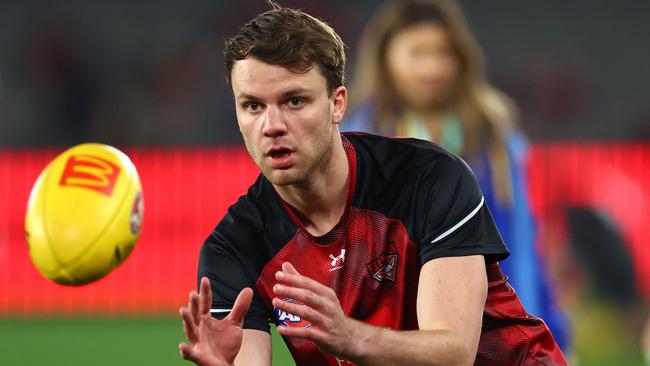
point(409, 202)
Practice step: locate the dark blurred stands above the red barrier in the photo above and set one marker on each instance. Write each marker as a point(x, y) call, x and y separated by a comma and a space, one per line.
point(150, 72)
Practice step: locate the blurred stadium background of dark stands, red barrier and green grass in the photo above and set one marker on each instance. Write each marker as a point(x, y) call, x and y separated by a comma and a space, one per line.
point(147, 77)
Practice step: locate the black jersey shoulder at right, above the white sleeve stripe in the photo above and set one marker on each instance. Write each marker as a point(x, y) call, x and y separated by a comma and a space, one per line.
point(398, 176)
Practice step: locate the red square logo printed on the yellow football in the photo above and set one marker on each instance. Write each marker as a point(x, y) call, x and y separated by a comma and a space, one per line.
point(91, 172)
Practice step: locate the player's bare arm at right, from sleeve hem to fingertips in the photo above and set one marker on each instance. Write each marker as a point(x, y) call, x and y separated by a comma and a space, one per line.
point(449, 320)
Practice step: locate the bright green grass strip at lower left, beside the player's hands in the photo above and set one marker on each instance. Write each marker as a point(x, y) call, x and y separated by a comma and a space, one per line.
point(100, 341)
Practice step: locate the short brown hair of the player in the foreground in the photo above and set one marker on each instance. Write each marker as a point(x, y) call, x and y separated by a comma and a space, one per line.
point(292, 39)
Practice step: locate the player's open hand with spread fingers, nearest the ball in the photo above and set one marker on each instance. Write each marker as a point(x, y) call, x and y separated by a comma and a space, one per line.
point(212, 342)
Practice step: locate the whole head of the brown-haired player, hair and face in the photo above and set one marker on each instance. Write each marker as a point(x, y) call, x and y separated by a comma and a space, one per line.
point(286, 72)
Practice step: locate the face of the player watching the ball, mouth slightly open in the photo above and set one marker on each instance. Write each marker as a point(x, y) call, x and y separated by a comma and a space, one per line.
point(287, 119)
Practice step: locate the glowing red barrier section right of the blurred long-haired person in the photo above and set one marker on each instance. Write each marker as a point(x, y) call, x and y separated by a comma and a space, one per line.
point(610, 177)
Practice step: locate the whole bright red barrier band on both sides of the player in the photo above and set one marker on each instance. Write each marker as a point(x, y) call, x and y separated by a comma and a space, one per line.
point(188, 190)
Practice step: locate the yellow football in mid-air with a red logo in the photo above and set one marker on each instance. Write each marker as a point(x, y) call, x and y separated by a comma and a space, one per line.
point(84, 214)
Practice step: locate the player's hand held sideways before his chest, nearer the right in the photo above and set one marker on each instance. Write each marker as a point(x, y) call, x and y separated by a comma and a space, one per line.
point(331, 330)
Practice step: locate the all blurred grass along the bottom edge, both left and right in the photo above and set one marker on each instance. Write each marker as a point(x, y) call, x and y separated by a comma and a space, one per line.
point(154, 341)
